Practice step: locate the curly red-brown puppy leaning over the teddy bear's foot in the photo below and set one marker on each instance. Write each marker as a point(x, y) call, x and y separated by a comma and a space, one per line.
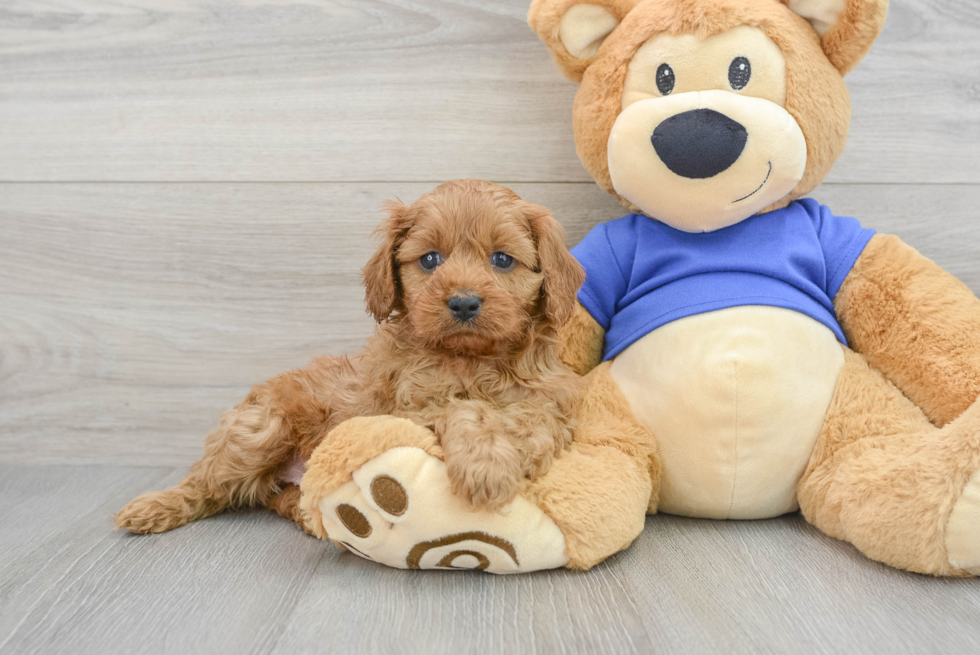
point(469, 287)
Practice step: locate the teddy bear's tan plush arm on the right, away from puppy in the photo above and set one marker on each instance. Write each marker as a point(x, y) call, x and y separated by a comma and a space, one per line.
point(915, 323)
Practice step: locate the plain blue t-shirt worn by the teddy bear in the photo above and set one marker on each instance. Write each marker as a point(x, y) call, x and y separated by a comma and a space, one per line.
point(641, 273)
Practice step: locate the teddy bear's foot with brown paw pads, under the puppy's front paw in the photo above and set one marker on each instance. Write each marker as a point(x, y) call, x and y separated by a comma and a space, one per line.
point(378, 487)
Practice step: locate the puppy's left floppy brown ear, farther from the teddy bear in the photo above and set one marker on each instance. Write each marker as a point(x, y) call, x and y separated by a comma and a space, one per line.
point(382, 286)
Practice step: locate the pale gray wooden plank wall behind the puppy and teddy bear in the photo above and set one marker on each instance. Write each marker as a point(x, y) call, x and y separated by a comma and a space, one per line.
point(187, 188)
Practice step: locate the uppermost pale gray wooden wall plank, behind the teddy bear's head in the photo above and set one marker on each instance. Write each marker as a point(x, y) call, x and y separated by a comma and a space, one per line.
point(427, 90)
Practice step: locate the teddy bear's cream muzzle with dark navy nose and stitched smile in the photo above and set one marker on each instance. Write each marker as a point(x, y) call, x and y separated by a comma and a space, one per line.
point(703, 160)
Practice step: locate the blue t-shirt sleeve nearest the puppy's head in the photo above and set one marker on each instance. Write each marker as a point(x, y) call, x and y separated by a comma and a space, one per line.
point(604, 283)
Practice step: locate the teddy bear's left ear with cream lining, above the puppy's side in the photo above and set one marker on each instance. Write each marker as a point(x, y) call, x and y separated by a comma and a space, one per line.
point(574, 29)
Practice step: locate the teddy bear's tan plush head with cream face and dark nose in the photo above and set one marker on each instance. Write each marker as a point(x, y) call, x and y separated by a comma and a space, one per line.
point(701, 113)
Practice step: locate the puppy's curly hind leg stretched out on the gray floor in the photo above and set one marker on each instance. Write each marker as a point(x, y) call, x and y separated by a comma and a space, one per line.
point(238, 469)
